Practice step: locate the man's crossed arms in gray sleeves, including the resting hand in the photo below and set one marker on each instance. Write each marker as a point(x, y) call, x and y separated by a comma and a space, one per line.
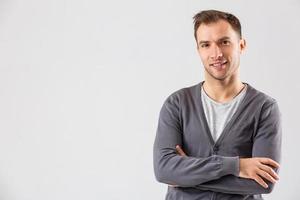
point(234, 175)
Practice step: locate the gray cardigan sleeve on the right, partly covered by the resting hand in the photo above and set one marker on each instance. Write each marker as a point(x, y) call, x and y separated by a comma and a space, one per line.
point(267, 143)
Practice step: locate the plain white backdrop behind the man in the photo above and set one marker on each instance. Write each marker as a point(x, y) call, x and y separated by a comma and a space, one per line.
point(82, 83)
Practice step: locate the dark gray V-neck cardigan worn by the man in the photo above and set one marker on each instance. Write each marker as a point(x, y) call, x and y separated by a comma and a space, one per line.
point(211, 169)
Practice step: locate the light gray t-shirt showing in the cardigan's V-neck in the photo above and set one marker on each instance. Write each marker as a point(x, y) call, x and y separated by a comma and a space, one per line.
point(218, 114)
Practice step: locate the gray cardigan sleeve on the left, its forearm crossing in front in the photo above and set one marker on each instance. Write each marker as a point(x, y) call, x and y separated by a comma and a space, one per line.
point(171, 168)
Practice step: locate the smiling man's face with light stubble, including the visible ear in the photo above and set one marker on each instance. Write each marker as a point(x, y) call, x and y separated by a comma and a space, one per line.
point(219, 47)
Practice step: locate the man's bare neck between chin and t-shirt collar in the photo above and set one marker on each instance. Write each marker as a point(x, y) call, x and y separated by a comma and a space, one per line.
point(222, 90)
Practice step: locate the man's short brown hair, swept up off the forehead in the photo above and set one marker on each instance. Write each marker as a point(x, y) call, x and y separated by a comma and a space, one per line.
point(212, 16)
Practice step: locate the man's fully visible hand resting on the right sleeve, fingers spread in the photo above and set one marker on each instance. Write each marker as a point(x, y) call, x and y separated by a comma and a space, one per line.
point(258, 168)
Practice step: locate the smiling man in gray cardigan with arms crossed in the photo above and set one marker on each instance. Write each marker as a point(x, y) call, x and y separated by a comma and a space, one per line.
point(221, 138)
